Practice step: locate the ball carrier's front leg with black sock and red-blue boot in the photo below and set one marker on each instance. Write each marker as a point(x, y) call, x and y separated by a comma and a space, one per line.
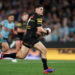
point(43, 51)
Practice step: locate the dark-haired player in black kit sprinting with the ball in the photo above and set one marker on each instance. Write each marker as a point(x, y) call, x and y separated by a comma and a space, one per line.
point(31, 39)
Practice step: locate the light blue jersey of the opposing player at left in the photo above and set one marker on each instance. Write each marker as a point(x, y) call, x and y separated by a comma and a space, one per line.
point(8, 26)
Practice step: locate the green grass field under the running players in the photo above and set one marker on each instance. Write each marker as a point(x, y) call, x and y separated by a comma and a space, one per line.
point(34, 67)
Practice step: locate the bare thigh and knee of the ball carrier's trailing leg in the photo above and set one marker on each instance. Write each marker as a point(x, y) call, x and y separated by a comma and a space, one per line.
point(23, 52)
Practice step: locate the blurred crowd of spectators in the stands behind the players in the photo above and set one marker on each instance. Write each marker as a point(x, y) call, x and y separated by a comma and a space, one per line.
point(59, 16)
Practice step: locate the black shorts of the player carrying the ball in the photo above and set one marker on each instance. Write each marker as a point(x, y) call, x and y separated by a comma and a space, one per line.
point(30, 42)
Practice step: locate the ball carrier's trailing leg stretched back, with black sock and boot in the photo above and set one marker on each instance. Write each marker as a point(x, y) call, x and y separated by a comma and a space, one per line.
point(20, 54)
